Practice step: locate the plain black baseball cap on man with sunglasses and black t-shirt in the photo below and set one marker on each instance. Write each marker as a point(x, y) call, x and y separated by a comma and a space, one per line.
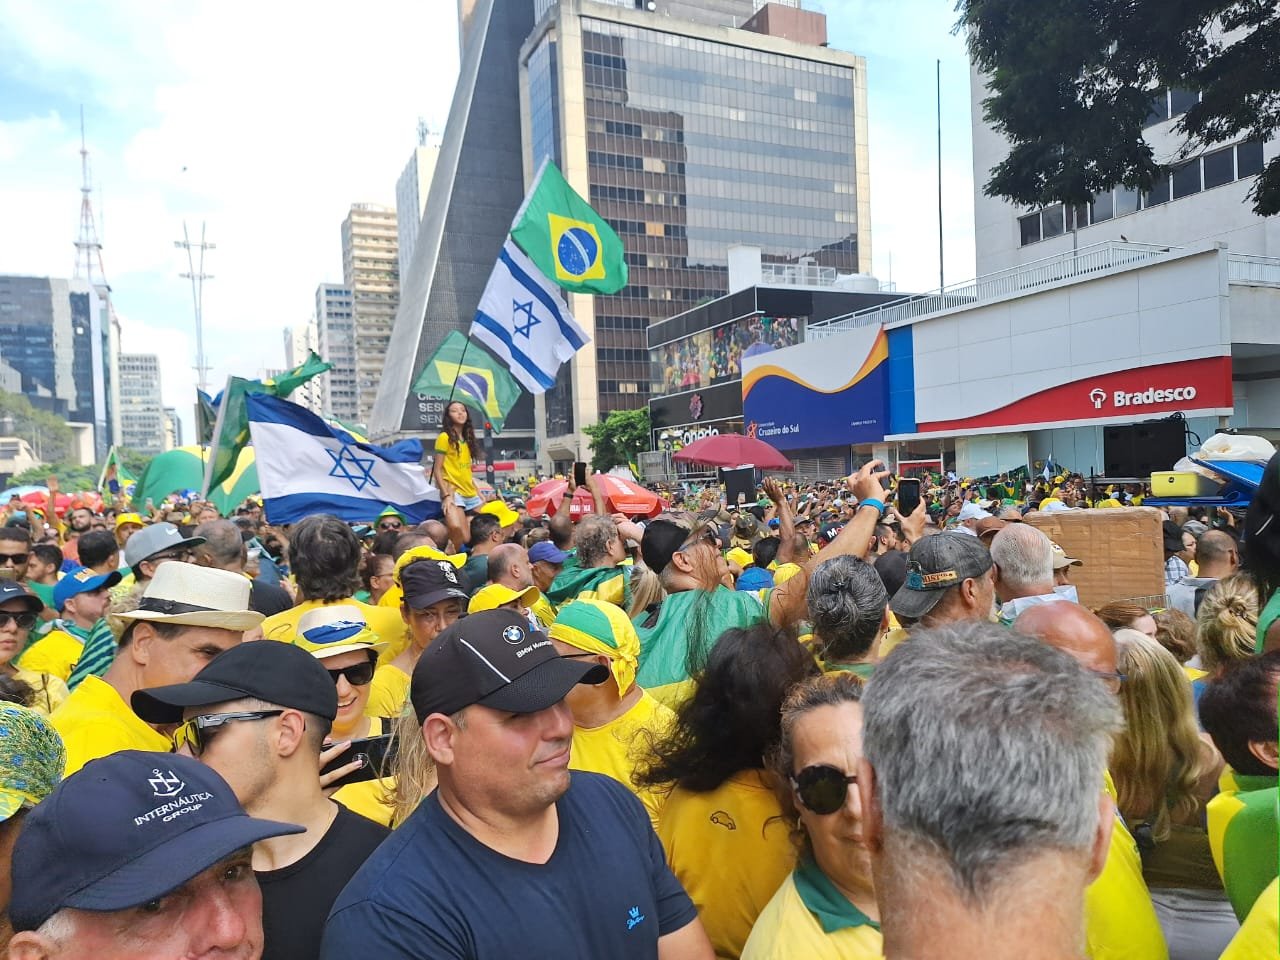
point(264, 670)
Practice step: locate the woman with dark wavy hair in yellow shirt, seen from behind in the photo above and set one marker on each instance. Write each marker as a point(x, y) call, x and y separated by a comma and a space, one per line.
point(721, 825)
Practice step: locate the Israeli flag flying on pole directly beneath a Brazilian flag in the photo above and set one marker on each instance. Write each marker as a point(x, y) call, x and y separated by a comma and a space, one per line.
point(525, 322)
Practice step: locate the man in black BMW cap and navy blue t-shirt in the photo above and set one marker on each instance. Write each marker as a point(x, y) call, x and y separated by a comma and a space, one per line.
point(513, 856)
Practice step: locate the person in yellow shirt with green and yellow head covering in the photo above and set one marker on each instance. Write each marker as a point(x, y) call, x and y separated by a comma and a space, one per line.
point(614, 721)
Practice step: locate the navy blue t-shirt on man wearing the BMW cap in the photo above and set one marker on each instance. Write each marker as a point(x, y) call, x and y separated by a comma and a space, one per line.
point(432, 890)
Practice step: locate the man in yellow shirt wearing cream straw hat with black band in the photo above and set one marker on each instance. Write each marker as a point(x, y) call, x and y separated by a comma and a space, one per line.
point(188, 616)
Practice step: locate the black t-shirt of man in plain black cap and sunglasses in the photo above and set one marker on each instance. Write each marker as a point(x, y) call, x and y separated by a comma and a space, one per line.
point(298, 898)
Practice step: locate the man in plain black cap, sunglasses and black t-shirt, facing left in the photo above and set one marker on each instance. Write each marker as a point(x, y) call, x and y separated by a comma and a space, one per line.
point(259, 715)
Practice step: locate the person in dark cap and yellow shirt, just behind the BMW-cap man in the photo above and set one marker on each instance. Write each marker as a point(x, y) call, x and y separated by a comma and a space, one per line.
point(435, 597)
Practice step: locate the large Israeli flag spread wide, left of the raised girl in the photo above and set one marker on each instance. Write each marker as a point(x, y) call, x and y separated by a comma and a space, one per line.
point(305, 467)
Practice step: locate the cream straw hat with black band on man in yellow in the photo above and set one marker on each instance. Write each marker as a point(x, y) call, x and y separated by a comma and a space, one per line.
point(199, 597)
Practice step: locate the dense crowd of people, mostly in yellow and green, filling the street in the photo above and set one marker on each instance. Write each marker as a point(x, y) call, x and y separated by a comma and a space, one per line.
point(807, 726)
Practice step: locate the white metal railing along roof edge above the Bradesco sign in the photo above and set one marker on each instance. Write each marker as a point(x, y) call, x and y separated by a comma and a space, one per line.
point(1018, 280)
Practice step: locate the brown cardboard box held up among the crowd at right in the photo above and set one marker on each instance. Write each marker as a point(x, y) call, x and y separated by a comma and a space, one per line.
point(1123, 552)
